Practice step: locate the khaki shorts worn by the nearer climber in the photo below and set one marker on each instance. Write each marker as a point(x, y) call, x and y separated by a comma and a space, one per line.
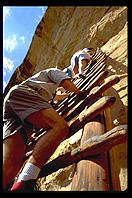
point(19, 103)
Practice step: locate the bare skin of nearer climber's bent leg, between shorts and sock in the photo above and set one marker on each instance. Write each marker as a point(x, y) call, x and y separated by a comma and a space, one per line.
point(48, 143)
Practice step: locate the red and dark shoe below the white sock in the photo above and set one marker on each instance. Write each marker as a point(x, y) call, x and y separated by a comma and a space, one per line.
point(24, 186)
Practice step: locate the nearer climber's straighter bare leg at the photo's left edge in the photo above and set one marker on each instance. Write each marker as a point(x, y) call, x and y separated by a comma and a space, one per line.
point(13, 152)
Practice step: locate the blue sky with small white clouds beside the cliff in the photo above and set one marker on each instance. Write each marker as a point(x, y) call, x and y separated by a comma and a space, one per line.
point(19, 24)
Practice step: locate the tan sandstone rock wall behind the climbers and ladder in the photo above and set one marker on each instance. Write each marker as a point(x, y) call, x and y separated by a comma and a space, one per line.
point(61, 32)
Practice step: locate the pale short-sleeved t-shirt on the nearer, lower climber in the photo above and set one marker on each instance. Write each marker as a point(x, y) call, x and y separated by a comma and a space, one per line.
point(46, 81)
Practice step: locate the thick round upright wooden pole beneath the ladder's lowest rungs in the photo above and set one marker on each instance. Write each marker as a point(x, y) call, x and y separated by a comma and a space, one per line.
point(92, 175)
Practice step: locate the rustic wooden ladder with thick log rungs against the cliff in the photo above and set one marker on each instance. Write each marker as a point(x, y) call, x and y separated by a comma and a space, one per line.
point(93, 171)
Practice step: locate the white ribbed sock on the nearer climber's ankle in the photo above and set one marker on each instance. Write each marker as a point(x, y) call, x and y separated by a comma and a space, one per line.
point(30, 171)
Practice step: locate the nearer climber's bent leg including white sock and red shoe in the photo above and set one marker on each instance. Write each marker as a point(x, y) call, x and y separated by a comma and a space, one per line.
point(46, 145)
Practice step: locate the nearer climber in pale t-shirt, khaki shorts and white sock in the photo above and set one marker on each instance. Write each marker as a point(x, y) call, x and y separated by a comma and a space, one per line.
point(27, 106)
